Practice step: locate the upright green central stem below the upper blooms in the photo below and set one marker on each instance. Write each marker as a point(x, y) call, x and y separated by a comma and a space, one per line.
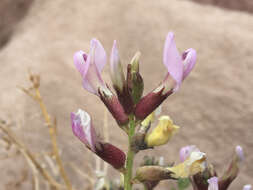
point(130, 156)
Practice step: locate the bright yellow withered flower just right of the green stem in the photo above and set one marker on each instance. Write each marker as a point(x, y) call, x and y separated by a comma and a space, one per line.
point(162, 133)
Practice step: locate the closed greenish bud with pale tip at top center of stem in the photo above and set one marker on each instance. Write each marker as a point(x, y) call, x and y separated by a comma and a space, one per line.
point(134, 80)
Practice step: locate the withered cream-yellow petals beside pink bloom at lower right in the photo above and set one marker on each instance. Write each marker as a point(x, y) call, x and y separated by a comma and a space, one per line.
point(194, 164)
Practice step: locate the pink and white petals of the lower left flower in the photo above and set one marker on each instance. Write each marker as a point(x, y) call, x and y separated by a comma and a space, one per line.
point(83, 129)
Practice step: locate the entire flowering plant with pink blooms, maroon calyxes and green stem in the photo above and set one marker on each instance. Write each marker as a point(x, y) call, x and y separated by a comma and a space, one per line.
point(135, 113)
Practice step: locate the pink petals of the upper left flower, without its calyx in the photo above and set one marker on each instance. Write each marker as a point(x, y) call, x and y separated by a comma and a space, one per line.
point(90, 66)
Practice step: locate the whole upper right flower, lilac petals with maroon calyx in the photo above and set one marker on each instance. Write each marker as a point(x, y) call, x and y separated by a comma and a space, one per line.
point(178, 66)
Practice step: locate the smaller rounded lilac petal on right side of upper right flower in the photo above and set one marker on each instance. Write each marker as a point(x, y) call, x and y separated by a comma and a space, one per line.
point(189, 60)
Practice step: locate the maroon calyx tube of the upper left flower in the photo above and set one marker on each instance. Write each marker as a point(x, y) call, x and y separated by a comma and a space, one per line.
point(113, 105)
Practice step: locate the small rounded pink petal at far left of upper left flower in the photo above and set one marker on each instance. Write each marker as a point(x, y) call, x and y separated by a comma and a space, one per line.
point(80, 59)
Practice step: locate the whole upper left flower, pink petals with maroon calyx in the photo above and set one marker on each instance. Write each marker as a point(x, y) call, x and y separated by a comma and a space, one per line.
point(90, 67)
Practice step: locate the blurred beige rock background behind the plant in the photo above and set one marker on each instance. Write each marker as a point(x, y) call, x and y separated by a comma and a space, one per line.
point(213, 107)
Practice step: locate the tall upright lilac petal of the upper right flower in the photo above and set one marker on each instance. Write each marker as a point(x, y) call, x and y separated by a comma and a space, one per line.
point(173, 60)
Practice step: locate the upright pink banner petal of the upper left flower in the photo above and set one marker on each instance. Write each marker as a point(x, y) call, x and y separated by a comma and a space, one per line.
point(98, 54)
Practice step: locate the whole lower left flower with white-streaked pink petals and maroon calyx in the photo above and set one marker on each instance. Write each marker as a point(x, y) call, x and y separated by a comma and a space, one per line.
point(83, 129)
